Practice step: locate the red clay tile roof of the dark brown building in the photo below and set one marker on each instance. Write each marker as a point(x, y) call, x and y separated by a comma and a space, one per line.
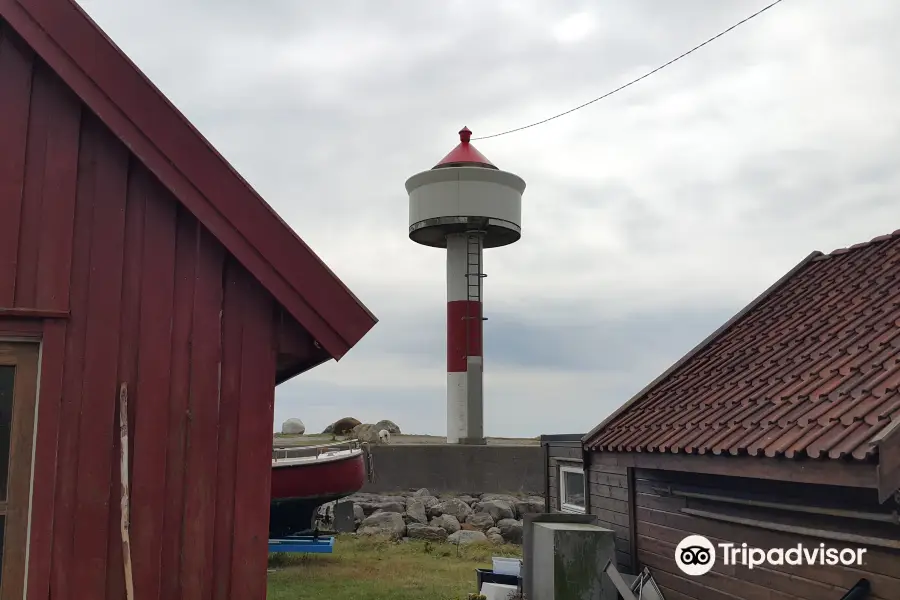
point(810, 368)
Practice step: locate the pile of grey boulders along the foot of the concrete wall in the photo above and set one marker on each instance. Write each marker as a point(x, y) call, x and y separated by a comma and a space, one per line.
point(459, 519)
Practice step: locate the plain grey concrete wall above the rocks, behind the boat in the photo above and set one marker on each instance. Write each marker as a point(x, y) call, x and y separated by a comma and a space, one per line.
point(454, 468)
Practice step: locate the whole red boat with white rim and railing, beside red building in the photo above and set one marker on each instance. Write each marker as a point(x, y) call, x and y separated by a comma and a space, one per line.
point(304, 478)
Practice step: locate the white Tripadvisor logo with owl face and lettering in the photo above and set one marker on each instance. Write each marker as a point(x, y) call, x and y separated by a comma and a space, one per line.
point(695, 555)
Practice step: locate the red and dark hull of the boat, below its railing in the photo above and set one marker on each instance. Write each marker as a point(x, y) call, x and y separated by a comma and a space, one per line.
point(300, 487)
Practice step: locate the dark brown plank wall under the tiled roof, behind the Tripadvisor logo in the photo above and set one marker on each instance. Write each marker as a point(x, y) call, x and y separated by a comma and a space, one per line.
point(661, 526)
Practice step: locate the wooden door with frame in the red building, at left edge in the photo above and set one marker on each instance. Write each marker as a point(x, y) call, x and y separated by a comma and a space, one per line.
point(18, 390)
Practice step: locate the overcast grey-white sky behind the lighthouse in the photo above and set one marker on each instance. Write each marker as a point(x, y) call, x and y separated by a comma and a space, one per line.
point(649, 218)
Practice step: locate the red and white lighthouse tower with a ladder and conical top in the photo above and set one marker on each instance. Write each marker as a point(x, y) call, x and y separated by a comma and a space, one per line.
point(465, 204)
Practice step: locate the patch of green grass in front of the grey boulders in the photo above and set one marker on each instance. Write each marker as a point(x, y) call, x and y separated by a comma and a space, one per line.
point(377, 569)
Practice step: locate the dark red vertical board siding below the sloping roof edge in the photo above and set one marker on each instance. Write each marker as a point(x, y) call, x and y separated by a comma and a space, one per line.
point(154, 302)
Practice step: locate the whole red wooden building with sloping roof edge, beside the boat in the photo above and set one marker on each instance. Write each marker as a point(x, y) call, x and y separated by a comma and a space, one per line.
point(132, 254)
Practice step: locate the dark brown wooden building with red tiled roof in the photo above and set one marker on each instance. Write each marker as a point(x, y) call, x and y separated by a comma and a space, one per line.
point(781, 428)
